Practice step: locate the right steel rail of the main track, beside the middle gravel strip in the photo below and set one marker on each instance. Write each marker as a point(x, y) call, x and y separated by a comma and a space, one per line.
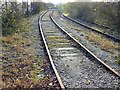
point(89, 53)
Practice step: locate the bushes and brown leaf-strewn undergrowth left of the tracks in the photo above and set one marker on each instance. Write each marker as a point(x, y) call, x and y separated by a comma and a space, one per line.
point(21, 68)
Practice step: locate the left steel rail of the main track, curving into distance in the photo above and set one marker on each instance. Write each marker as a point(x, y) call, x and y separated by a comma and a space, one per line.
point(48, 51)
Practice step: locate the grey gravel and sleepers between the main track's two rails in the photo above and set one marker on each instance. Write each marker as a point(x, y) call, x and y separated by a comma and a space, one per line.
point(75, 69)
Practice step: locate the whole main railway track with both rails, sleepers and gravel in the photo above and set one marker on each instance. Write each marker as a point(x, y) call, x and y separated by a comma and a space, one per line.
point(71, 59)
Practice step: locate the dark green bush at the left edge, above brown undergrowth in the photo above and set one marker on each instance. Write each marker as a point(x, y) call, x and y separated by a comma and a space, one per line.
point(9, 22)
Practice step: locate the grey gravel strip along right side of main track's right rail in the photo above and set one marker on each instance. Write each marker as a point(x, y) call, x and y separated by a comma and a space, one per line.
point(81, 36)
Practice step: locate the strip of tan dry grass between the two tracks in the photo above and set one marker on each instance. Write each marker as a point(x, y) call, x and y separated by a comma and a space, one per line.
point(103, 42)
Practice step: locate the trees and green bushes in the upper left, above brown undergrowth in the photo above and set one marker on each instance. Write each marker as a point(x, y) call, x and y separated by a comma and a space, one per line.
point(13, 12)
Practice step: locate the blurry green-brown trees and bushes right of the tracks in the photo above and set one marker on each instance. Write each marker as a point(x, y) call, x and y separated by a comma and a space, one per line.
point(99, 12)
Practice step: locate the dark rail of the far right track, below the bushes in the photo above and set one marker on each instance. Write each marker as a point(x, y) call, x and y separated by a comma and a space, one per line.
point(93, 29)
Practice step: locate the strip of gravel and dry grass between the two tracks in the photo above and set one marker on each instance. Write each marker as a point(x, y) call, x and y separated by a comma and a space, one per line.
point(106, 54)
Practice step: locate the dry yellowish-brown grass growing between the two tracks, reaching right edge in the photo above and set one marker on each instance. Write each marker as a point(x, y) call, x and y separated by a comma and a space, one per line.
point(99, 40)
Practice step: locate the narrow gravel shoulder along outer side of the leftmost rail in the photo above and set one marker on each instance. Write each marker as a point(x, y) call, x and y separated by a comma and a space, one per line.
point(40, 53)
